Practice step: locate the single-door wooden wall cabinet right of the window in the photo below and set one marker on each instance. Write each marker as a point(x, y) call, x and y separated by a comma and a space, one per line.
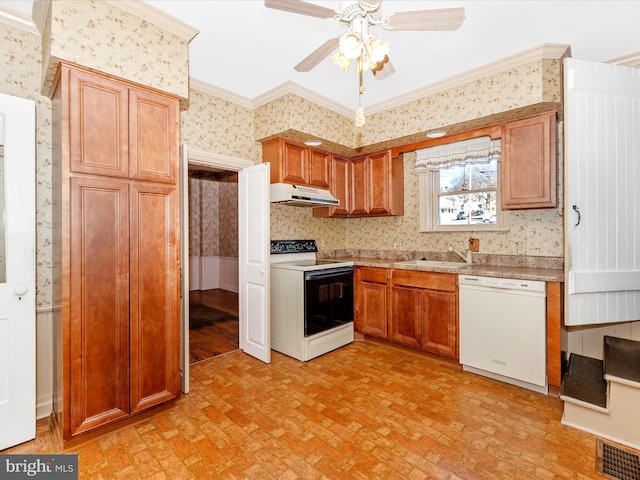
point(529, 163)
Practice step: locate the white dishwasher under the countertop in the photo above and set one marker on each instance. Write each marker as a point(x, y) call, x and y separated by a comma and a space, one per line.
point(503, 330)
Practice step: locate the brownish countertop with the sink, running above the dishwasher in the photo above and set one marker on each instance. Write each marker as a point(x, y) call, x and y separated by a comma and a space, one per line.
point(487, 270)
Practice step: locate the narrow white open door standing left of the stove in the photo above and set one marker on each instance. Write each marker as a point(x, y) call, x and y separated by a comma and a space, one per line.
point(253, 261)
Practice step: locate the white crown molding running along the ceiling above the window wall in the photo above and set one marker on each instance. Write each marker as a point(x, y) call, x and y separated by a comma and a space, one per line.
point(544, 51)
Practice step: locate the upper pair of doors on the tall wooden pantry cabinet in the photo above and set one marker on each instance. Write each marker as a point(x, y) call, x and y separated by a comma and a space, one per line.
point(135, 129)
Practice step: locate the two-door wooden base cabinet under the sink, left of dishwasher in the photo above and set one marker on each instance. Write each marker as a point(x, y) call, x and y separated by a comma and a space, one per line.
point(424, 311)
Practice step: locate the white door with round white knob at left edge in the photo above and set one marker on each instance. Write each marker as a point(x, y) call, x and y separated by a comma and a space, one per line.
point(17, 272)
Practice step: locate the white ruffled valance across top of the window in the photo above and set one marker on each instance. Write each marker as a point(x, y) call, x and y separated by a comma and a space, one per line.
point(475, 150)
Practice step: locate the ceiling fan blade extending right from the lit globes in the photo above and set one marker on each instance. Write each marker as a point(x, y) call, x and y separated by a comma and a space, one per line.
point(438, 19)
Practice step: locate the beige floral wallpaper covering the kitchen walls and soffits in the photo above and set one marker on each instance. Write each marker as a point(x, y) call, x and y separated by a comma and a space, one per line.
point(218, 126)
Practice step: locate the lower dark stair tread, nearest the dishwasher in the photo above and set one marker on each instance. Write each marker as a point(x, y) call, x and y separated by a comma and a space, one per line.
point(584, 380)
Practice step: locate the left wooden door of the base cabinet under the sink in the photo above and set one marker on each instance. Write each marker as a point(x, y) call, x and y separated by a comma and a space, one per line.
point(404, 320)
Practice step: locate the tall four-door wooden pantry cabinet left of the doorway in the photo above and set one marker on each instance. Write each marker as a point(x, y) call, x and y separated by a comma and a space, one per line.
point(116, 249)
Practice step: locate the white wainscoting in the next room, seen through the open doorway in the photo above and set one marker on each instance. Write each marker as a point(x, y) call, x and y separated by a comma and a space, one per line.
point(206, 273)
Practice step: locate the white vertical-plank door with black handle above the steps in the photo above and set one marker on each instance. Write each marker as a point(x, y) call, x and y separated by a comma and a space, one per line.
point(602, 203)
